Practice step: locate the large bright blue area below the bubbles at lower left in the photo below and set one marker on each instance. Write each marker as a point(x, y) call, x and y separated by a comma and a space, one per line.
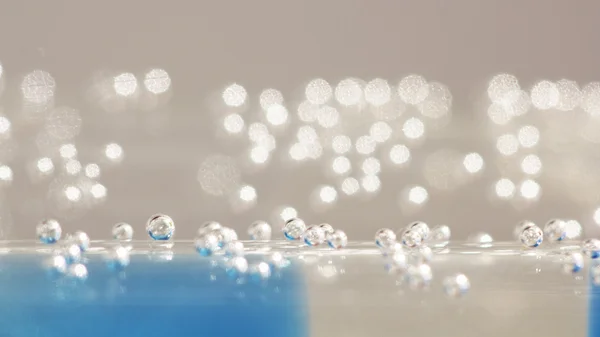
point(186, 296)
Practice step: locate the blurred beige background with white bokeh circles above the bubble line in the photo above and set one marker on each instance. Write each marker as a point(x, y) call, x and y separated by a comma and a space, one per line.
point(239, 111)
